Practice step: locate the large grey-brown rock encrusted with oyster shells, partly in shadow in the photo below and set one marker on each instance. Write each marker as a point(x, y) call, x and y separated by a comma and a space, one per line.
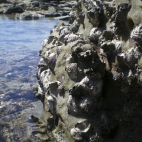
point(90, 74)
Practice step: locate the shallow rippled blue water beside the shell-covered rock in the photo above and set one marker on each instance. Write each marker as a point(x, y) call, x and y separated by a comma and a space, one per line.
point(20, 42)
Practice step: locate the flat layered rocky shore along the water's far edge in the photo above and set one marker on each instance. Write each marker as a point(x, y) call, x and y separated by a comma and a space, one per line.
point(35, 9)
